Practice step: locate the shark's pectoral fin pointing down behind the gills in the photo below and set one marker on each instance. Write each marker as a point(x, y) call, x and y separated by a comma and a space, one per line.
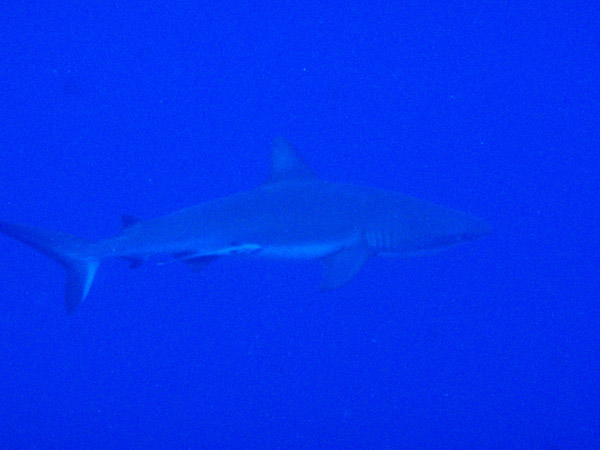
point(340, 267)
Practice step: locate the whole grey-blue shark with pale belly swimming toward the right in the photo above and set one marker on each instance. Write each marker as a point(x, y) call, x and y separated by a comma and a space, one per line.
point(293, 215)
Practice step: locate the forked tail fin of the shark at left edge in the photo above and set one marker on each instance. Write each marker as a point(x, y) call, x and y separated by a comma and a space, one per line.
point(71, 252)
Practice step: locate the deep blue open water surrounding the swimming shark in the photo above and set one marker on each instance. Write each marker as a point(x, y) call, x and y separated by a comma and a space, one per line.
point(115, 107)
